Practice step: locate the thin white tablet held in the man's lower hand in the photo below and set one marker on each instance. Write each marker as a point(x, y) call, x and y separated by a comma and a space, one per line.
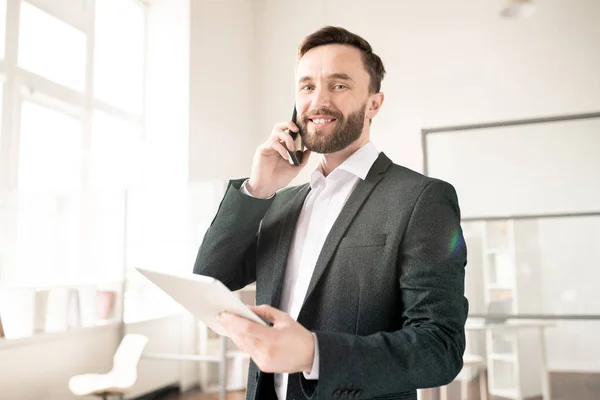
point(203, 296)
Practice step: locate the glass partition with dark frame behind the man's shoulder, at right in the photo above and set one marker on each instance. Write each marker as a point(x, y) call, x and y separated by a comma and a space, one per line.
point(531, 219)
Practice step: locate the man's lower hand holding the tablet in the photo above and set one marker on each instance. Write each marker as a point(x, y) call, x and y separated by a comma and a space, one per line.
point(285, 347)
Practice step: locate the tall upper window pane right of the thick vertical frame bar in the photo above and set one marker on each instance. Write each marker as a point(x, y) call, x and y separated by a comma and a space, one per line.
point(119, 53)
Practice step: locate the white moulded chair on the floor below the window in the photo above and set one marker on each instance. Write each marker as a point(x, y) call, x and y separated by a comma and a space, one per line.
point(121, 377)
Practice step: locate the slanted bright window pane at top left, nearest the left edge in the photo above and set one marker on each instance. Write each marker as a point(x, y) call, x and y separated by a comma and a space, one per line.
point(51, 47)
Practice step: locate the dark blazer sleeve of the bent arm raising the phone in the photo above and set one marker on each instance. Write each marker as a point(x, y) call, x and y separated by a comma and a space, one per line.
point(228, 250)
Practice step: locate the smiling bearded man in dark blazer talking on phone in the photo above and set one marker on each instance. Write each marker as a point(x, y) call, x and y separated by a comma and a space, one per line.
point(360, 272)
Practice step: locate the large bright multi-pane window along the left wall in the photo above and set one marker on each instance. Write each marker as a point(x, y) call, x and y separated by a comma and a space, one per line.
point(72, 79)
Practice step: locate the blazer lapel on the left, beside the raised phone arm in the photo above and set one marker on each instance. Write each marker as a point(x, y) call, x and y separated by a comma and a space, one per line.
point(285, 242)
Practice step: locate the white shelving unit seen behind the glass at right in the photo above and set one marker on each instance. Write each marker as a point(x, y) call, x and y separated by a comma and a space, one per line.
point(503, 246)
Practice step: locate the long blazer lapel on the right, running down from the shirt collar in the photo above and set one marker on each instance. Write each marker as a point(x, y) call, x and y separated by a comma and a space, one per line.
point(349, 211)
